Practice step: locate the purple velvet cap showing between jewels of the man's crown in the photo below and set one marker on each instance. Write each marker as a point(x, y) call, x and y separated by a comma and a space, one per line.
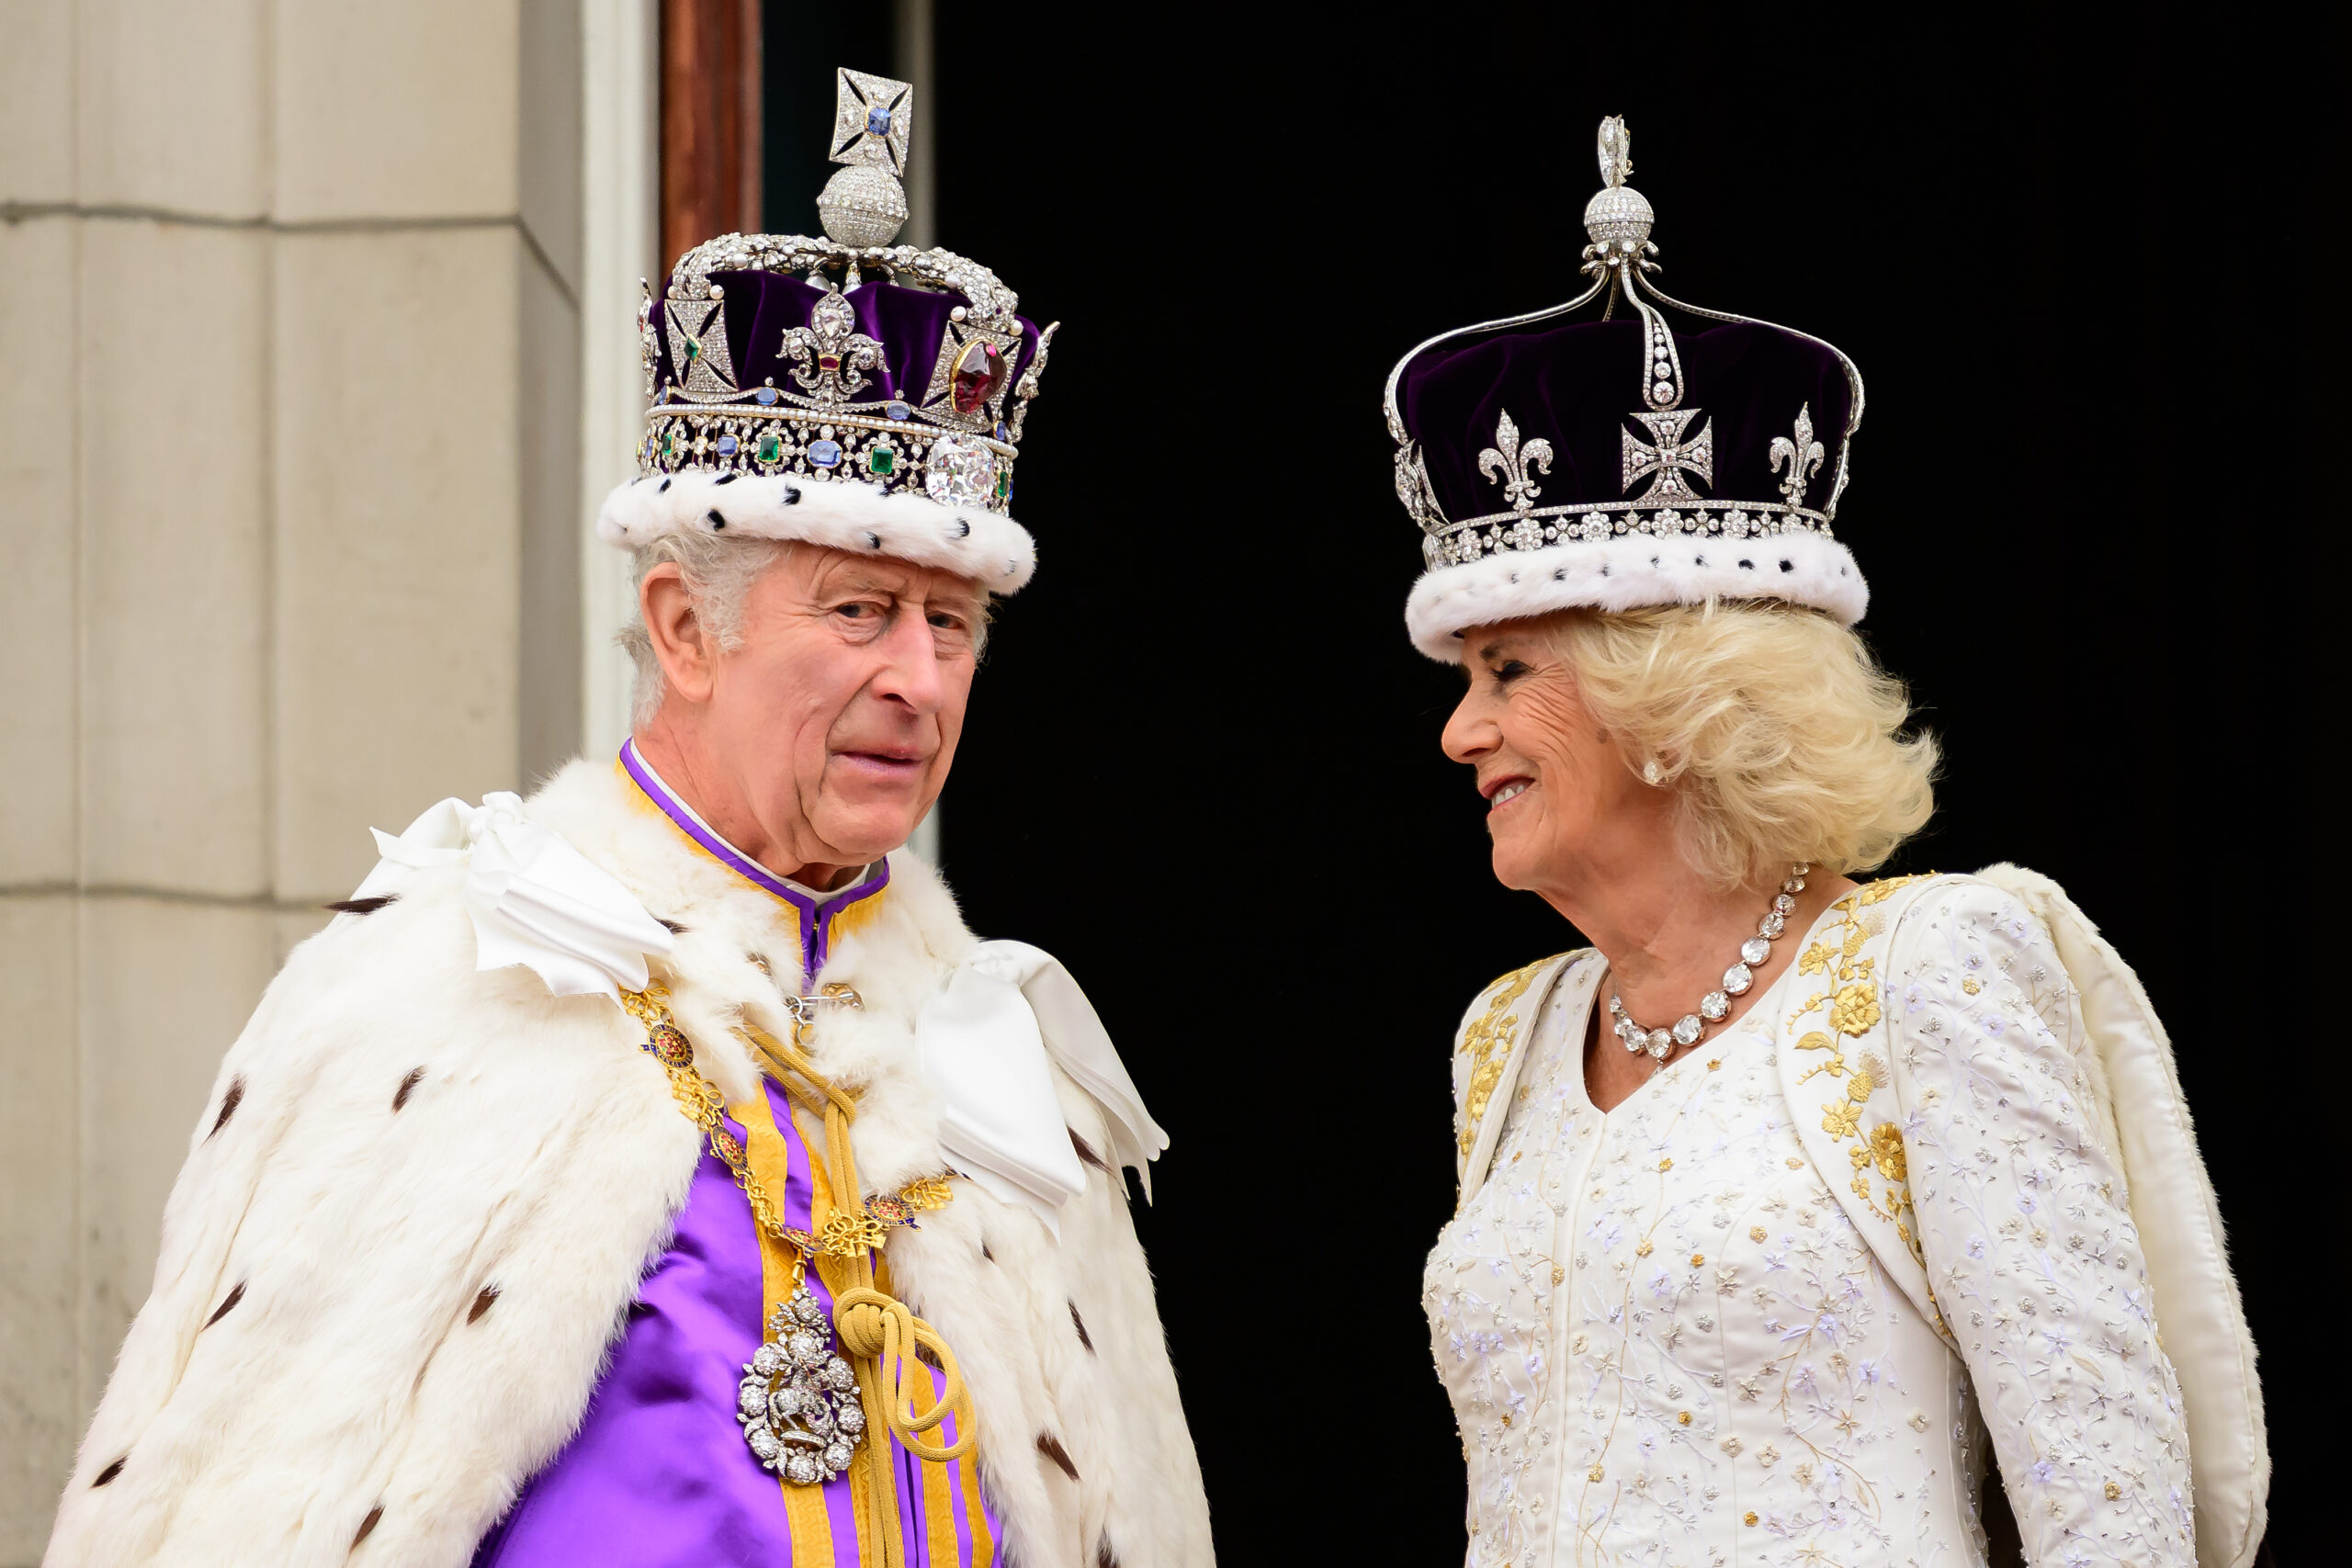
point(909, 323)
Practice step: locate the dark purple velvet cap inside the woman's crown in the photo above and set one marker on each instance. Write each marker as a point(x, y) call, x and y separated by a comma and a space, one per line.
point(1577, 387)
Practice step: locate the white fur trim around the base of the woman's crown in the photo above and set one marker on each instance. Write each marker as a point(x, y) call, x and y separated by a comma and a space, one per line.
point(1631, 572)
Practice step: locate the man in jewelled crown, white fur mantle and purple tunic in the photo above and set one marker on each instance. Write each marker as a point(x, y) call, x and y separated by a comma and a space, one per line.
point(657, 1172)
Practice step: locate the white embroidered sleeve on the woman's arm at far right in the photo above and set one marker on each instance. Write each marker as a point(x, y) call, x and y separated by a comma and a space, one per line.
point(2029, 1240)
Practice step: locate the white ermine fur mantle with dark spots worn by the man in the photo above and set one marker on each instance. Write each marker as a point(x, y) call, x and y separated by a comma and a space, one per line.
point(399, 1139)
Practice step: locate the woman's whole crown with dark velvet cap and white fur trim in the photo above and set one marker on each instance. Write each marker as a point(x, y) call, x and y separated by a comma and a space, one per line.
point(1539, 490)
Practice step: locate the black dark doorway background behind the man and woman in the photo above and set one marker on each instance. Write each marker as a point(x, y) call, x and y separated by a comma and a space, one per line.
point(2080, 264)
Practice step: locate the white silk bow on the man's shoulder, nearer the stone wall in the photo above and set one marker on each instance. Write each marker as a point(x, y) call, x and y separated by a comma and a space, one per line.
point(533, 897)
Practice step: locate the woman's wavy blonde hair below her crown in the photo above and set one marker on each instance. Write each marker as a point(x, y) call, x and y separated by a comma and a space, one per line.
point(1777, 730)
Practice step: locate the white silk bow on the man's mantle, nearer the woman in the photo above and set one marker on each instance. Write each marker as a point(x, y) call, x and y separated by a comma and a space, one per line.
point(987, 1040)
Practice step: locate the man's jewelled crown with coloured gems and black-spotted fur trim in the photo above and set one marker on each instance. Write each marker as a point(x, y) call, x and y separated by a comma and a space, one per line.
point(846, 391)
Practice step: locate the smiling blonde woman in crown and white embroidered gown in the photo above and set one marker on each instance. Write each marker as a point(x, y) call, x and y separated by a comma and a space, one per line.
point(1796, 1198)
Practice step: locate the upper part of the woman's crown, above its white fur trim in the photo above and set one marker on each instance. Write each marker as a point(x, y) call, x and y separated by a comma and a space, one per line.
point(1671, 471)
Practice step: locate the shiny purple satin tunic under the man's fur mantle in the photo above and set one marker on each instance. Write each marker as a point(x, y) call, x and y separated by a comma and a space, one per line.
point(660, 1475)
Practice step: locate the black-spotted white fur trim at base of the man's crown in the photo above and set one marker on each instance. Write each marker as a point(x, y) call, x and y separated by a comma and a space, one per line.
point(841, 514)
